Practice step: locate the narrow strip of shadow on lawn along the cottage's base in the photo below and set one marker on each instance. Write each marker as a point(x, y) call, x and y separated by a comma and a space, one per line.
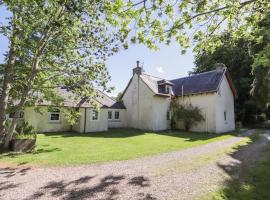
point(129, 132)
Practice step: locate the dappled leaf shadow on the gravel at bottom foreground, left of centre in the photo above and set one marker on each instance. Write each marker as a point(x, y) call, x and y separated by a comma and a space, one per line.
point(85, 188)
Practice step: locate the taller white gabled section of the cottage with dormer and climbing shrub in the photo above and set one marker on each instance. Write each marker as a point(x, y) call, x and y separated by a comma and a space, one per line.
point(147, 99)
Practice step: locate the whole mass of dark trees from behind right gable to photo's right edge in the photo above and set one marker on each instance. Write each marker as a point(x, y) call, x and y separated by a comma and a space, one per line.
point(251, 79)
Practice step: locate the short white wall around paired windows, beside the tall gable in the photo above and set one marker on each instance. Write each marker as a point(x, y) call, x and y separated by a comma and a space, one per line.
point(117, 123)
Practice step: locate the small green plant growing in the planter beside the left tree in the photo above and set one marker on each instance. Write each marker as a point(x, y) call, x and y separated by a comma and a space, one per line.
point(25, 131)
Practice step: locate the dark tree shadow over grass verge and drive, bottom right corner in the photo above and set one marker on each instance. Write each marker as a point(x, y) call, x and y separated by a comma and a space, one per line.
point(249, 171)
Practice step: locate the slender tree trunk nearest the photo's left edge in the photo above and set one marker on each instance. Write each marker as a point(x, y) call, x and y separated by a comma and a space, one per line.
point(8, 76)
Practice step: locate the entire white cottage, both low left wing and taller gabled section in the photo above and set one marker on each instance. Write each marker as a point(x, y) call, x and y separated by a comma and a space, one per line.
point(146, 102)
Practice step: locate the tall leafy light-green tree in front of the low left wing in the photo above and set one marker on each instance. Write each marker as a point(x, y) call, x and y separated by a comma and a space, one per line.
point(53, 44)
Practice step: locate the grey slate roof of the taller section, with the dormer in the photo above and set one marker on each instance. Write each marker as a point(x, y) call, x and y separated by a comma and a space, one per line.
point(195, 84)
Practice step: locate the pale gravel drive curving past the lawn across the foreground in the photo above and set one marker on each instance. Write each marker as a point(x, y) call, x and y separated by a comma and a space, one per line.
point(185, 174)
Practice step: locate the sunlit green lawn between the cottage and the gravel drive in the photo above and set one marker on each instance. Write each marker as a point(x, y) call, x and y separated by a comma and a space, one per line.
point(54, 149)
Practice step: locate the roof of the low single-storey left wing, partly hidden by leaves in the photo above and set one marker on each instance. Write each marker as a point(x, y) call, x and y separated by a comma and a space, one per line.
point(72, 100)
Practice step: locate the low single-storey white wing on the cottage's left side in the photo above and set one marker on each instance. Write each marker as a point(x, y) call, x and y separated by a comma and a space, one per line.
point(107, 113)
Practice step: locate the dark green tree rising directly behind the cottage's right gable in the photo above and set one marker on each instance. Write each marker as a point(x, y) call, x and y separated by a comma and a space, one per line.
point(234, 54)
